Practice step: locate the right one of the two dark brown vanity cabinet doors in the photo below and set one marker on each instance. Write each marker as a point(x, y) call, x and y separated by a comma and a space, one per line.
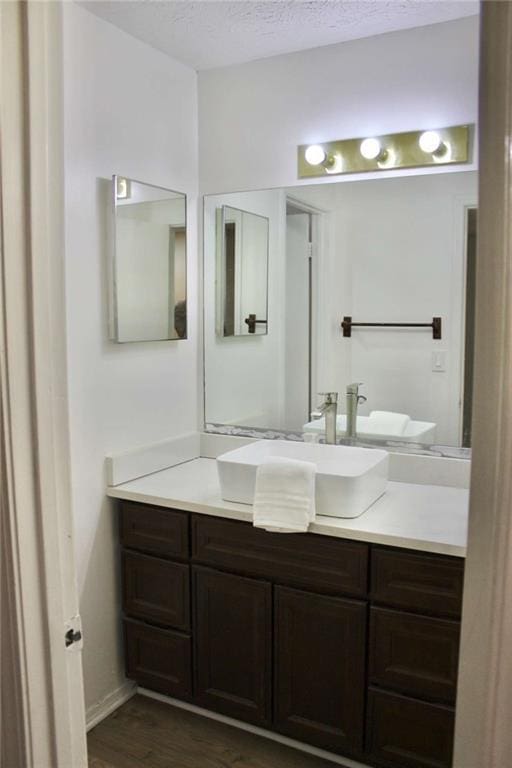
point(319, 669)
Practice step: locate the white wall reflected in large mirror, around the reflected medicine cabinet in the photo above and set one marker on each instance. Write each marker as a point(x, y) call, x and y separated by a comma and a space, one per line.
point(244, 374)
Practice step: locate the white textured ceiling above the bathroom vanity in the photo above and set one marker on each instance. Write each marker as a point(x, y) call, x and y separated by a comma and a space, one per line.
point(214, 33)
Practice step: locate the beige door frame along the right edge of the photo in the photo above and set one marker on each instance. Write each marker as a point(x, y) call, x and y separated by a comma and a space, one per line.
point(482, 732)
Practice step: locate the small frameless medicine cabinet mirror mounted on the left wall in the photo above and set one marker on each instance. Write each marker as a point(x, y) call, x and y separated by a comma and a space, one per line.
point(149, 263)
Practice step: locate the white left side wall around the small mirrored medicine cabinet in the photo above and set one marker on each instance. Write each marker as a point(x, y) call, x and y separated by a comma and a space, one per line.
point(129, 110)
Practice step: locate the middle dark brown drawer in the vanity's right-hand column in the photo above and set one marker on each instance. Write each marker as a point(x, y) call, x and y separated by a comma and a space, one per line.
point(414, 654)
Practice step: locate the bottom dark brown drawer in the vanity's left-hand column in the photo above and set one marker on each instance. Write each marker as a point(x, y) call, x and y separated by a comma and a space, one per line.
point(158, 659)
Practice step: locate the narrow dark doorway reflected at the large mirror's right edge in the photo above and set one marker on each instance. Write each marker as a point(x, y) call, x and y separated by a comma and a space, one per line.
point(469, 340)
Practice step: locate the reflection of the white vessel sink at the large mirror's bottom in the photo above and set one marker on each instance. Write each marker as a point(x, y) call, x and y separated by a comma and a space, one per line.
point(368, 428)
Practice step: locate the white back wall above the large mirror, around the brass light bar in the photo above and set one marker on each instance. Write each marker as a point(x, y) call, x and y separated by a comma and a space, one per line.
point(253, 116)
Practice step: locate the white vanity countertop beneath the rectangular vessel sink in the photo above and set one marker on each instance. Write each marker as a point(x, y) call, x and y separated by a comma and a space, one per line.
point(429, 518)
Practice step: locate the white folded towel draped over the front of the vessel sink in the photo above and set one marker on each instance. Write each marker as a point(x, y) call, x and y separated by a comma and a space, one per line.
point(284, 498)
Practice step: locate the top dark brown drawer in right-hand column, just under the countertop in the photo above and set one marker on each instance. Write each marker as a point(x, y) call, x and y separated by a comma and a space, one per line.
point(418, 582)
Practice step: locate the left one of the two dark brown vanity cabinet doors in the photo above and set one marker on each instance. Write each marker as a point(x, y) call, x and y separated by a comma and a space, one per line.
point(233, 621)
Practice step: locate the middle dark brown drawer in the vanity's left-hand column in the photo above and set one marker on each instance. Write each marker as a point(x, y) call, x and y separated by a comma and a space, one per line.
point(156, 590)
